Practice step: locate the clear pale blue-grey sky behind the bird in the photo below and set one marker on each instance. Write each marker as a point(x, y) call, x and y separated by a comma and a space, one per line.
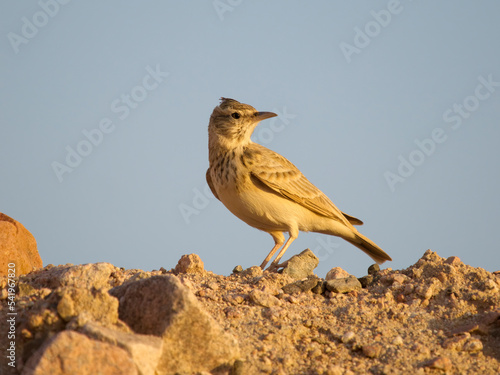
point(391, 108)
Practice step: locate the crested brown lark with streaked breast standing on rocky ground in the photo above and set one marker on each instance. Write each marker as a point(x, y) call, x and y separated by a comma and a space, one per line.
point(268, 192)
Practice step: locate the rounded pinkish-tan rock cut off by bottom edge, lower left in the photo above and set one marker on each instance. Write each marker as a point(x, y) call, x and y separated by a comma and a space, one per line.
point(70, 353)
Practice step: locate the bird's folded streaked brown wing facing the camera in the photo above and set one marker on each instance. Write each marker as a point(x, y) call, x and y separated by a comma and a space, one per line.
point(284, 178)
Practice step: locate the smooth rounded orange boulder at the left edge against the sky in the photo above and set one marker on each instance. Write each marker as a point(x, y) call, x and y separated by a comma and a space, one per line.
point(18, 247)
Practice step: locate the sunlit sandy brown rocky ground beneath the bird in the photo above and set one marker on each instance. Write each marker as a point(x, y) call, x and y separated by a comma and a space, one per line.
point(437, 316)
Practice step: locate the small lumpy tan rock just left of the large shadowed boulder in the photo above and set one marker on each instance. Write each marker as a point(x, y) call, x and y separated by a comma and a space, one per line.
point(98, 305)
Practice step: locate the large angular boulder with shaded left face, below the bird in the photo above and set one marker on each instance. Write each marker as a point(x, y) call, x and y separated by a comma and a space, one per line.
point(192, 340)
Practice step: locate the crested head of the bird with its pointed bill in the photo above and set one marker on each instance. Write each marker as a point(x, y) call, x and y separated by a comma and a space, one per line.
point(232, 123)
